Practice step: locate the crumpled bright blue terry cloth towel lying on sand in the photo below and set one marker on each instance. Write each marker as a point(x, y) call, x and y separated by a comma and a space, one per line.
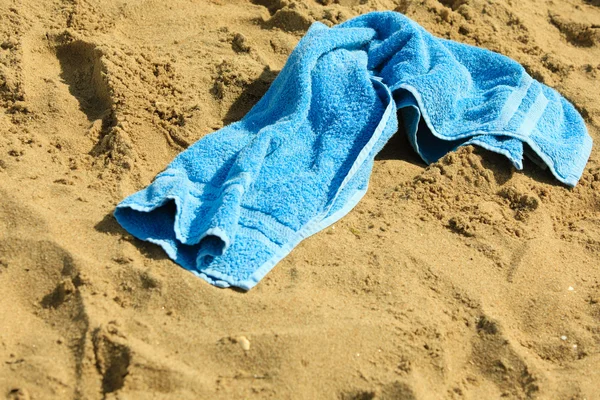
point(238, 201)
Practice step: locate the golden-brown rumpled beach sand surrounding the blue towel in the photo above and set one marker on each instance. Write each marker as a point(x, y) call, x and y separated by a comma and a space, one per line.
point(464, 279)
